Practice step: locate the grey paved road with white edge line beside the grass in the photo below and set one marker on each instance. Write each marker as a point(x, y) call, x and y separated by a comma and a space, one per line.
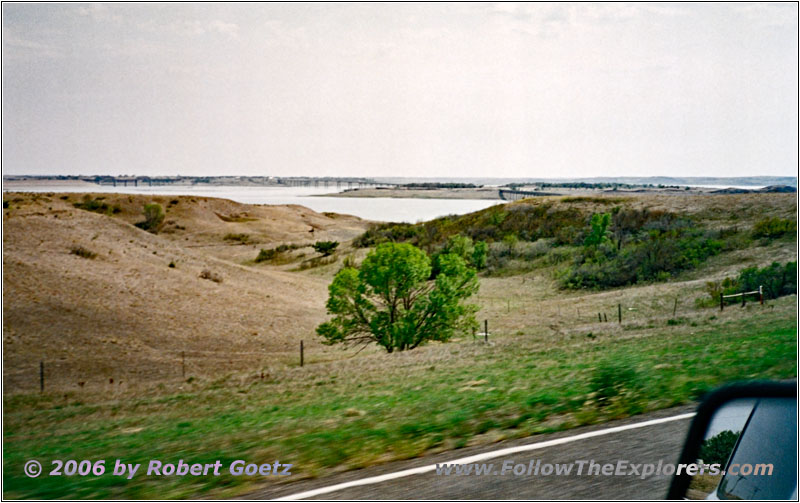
point(649, 444)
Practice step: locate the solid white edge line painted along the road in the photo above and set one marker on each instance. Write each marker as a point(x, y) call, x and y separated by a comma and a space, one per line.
point(481, 457)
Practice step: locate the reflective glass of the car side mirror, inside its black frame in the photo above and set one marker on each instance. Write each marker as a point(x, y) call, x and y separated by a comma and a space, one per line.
point(749, 452)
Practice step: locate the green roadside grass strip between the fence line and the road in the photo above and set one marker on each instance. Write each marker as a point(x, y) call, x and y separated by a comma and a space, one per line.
point(331, 416)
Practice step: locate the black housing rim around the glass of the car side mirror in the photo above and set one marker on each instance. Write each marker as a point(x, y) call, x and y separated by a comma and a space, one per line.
point(706, 412)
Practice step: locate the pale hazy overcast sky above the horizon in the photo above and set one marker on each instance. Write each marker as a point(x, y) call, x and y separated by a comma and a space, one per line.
point(440, 90)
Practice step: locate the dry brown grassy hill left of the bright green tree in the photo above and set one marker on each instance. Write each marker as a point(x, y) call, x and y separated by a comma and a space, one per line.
point(126, 314)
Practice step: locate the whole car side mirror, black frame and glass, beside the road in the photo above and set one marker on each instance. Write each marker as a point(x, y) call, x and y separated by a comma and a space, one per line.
point(742, 444)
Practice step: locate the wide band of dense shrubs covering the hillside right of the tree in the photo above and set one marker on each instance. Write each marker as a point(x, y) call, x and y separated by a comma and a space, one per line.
point(621, 247)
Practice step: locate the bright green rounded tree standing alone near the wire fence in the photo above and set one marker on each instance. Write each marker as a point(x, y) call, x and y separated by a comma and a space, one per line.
point(391, 301)
